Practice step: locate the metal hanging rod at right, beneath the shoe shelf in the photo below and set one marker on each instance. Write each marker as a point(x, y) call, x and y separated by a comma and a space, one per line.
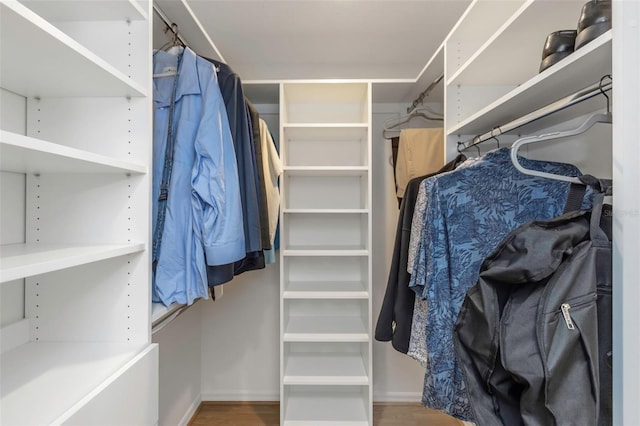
point(587, 93)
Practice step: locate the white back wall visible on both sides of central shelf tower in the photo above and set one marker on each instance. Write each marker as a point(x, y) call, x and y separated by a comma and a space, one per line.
point(240, 332)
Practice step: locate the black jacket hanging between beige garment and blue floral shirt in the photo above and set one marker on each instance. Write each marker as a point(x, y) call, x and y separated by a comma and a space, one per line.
point(395, 318)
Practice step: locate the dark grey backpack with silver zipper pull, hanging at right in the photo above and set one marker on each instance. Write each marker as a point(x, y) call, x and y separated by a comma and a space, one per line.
point(534, 334)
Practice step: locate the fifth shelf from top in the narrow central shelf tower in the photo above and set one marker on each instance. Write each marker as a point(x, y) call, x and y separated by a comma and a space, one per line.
point(325, 290)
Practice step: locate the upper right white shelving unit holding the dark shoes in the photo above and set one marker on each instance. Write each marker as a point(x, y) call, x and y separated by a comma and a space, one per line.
point(497, 79)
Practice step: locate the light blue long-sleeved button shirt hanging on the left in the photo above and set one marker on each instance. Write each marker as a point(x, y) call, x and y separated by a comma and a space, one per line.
point(204, 223)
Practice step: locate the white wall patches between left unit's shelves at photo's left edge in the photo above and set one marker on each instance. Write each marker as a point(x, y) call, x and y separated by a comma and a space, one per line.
point(13, 117)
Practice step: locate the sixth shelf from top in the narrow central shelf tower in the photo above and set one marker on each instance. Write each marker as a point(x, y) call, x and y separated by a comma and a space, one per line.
point(325, 329)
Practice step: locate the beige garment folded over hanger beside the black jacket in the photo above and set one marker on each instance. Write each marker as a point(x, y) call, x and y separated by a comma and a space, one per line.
point(420, 152)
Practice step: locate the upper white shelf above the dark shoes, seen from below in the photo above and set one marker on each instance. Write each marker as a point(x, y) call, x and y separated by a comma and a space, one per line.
point(512, 55)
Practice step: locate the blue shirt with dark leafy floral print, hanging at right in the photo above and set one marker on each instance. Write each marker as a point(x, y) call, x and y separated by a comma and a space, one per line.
point(469, 212)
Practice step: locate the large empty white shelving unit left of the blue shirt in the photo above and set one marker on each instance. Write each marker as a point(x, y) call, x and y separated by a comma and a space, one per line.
point(83, 352)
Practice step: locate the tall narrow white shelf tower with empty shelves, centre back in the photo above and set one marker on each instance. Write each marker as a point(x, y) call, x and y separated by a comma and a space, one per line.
point(326, 254)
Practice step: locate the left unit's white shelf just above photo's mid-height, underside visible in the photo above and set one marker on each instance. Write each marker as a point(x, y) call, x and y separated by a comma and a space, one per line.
point(23, 154)
